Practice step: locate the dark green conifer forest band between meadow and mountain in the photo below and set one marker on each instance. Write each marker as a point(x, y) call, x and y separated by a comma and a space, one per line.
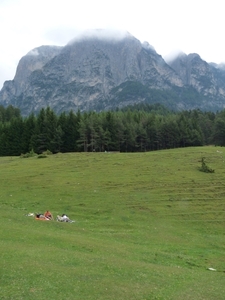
point(135, 128)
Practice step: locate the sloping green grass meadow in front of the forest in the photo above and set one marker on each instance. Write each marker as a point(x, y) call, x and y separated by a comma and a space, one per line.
point(147, 226)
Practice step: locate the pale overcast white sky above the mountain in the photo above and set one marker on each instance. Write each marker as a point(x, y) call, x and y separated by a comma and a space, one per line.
point(193, 26)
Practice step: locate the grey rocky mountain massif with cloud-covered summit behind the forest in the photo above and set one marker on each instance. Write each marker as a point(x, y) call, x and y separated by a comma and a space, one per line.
point(104, 70)
